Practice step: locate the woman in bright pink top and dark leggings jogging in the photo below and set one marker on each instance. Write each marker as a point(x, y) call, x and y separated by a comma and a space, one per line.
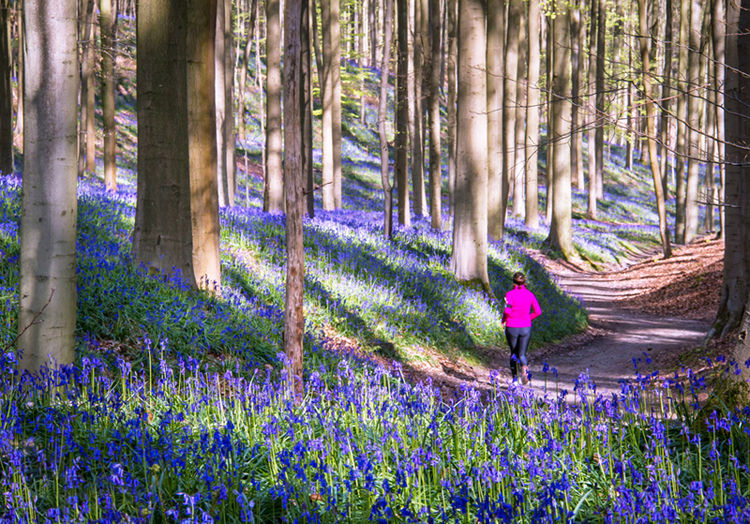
point(521, 307)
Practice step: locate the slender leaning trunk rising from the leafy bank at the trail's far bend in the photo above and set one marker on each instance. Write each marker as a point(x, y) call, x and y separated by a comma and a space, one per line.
point(645, 44)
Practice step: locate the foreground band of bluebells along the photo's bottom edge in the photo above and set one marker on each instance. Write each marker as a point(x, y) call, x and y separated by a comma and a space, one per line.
point(107, 440)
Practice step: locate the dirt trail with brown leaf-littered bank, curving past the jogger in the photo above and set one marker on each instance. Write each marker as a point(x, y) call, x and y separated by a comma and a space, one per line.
point(650, 313)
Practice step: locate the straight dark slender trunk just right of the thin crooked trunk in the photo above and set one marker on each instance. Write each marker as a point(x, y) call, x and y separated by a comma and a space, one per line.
point(402, 114)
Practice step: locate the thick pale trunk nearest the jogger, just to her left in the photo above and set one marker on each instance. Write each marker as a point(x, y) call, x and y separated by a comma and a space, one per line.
point(469, 255)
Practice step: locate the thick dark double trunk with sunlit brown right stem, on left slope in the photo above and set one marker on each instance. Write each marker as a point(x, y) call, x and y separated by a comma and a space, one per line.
point(177, 211)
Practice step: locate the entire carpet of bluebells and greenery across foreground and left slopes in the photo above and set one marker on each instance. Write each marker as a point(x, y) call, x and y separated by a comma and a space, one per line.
point(178, 409)
